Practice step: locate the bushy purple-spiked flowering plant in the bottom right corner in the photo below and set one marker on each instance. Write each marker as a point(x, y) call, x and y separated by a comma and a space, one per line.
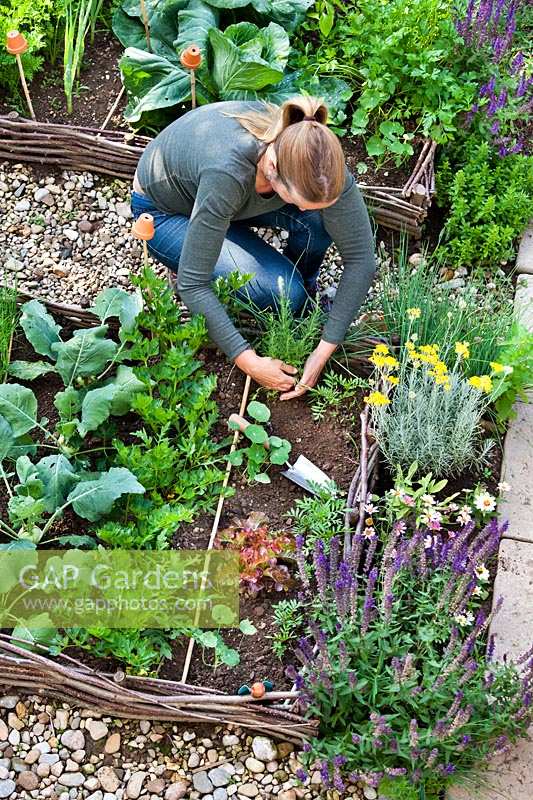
point(394, 663)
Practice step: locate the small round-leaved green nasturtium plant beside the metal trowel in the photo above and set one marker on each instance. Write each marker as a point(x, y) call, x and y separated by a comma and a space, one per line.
point(264, 449)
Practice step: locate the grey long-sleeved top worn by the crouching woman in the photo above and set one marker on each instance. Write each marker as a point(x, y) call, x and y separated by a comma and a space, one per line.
point(203, 165)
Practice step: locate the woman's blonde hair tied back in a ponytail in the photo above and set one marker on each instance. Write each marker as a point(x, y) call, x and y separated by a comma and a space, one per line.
point(309, 156)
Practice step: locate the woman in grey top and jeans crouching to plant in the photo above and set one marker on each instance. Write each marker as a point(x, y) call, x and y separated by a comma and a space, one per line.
point(224, 167)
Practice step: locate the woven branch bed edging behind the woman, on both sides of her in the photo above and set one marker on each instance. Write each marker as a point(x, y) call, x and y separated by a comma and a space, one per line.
point(117, 153)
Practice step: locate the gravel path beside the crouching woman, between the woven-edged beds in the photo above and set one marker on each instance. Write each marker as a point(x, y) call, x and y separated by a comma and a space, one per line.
point(67, 236)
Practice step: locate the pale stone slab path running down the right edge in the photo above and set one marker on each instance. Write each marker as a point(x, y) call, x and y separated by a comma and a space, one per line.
point(511, 776)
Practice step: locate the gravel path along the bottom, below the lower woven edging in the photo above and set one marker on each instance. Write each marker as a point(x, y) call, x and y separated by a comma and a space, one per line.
point(53, 751)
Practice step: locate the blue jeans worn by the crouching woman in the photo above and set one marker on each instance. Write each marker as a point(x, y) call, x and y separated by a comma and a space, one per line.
point(247, 253)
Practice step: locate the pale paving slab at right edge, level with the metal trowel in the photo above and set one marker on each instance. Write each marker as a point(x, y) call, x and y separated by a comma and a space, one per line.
point(517, 470)
